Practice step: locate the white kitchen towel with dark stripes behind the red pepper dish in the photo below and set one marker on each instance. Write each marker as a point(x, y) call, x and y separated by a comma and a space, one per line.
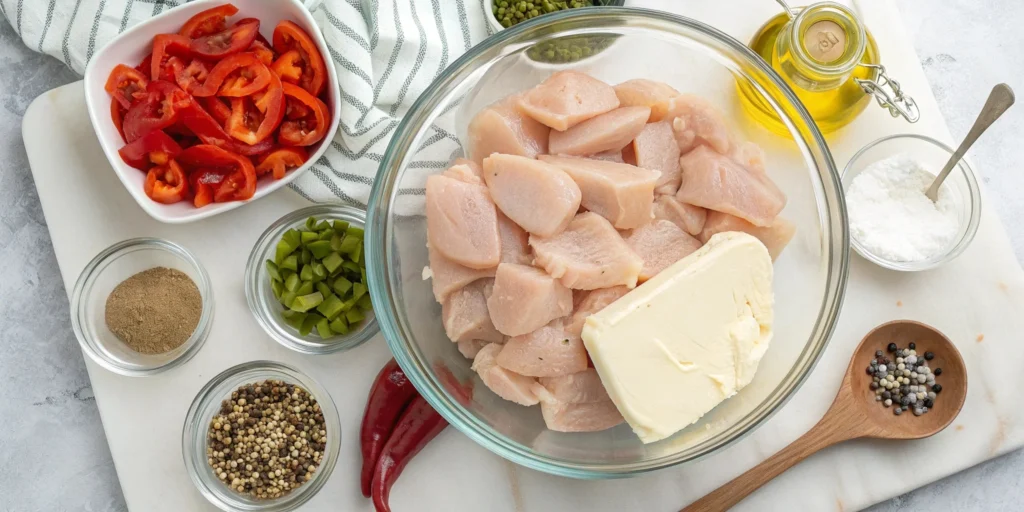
point(387, 54)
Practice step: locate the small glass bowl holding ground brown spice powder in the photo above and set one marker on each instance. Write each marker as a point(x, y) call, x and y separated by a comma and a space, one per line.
point(143, 307)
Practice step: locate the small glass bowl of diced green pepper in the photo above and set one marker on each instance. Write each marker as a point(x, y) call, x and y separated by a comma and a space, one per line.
point(307, 281)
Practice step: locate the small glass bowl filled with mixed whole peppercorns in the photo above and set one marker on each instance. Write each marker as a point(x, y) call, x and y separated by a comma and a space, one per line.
point(262, 437)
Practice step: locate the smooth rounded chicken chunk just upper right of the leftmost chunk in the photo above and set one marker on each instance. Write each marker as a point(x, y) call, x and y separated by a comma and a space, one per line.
point(539, 197)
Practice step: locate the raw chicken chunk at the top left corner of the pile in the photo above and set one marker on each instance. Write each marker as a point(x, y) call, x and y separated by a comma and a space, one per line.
point(501, 127)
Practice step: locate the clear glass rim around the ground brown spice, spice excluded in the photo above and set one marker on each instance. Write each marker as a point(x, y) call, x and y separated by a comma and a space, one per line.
point(101, 264)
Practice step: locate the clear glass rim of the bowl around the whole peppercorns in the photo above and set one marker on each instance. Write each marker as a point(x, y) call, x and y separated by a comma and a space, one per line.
point(194, 434)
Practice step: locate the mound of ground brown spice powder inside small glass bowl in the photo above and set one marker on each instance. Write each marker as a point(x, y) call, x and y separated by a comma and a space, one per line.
point(156, 311)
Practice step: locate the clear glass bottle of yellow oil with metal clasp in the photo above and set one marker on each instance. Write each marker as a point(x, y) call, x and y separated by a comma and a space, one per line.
point(826, 55)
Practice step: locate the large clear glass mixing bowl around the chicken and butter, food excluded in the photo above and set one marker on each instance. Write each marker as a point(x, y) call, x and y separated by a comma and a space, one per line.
point(694, 58)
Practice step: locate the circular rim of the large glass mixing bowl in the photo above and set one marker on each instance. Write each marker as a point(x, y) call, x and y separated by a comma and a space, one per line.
point(835, 233)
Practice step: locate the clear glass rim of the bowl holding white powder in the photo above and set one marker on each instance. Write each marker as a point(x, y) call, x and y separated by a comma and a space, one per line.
point(974, 205)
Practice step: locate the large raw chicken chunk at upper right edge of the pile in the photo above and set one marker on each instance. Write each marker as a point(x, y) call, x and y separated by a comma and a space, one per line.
point(717, 183)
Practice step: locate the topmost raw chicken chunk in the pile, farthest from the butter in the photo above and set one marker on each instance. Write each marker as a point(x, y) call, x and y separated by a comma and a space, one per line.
point(568, 99)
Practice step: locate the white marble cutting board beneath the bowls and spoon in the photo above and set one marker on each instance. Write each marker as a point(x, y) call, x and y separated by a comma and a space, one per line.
point(977, 302)
